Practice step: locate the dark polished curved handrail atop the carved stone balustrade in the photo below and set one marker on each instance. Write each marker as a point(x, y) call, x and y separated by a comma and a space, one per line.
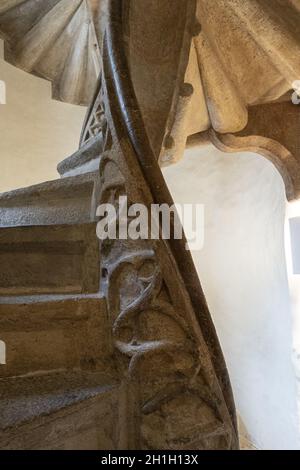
point(132, 119)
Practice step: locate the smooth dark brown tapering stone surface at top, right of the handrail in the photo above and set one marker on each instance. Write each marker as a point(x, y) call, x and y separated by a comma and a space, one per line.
point(158, 53)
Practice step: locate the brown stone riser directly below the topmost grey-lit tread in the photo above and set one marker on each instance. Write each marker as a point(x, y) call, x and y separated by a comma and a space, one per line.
point(49, 259)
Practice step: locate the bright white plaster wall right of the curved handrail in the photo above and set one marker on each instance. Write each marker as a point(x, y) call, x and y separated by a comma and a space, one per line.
point(242, 268)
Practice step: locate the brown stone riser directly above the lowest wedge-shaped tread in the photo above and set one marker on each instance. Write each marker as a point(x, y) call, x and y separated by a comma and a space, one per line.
point(54, 335)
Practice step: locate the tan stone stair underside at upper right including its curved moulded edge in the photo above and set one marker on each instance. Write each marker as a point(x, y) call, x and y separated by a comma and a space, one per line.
point(243, 62)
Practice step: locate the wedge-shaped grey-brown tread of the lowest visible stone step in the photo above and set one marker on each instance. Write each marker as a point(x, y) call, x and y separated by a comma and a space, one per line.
point(23, 399)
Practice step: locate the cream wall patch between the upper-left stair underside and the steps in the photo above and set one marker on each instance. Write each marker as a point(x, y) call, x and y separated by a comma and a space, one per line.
point(36, 131)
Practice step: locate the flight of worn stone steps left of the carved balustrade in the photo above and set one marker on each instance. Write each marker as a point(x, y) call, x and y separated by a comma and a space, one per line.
point(58, 388)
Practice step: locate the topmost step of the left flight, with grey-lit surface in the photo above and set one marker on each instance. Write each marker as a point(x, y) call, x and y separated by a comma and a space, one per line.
point(62, 201)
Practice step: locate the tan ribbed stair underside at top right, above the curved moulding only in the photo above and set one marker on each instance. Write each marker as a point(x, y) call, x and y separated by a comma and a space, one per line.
point(248, 54)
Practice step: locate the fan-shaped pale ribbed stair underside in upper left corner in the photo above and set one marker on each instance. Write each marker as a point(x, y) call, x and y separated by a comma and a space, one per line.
point(56, 40)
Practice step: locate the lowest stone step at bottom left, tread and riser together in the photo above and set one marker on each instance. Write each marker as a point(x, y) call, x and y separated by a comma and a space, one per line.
point(64, 411)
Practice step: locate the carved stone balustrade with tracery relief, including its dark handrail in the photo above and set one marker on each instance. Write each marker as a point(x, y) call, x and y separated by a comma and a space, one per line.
point(175, 391)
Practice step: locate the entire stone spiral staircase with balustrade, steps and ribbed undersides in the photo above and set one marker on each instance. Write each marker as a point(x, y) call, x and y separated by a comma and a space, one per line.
point(83, 364)
